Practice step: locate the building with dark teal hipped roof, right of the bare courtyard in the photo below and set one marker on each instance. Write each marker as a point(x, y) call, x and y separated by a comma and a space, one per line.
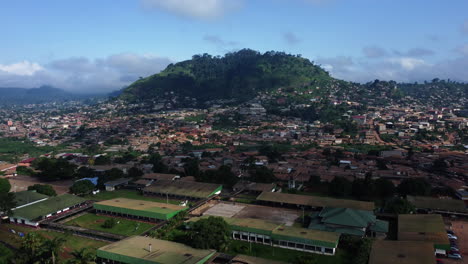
point(348, 221)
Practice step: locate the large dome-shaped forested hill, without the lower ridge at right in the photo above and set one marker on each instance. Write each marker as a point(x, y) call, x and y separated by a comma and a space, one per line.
point(240, 75)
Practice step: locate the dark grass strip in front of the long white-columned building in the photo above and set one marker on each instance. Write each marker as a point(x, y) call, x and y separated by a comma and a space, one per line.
point(280, 254)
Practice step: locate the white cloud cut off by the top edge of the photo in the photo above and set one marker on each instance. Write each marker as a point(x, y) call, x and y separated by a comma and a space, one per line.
point(199, 9)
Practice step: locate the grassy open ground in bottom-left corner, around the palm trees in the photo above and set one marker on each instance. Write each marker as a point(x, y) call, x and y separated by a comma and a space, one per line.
point(72, 242)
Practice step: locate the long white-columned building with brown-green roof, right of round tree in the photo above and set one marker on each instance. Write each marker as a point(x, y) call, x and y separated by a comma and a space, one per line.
point(273, 234)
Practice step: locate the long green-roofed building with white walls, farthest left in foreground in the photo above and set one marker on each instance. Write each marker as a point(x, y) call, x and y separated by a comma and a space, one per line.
point(33, 213)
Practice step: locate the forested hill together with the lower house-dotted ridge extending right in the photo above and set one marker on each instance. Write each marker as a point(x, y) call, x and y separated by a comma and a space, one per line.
point(243, 75)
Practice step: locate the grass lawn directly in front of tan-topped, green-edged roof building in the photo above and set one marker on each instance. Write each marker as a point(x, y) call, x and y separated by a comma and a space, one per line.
point(124, 227)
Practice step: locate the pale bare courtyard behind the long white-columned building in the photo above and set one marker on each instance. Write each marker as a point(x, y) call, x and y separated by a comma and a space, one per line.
point(240, 210)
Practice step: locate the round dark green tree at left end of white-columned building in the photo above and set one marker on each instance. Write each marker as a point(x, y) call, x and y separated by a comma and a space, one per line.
point(209, 233)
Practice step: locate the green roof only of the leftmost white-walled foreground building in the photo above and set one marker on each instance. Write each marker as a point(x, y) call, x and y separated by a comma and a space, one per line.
point(49, 206)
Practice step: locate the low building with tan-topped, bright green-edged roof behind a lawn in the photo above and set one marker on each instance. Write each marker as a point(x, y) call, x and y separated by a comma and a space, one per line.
point(138, 209)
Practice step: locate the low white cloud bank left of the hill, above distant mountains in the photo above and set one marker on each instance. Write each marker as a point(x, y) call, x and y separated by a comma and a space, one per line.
point(81, 74)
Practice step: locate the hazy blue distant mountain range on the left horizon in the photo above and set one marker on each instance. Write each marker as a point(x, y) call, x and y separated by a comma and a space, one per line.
point(43, 94)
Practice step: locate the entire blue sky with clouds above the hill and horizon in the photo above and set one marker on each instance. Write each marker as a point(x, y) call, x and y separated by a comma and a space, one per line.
point(103, 45)
